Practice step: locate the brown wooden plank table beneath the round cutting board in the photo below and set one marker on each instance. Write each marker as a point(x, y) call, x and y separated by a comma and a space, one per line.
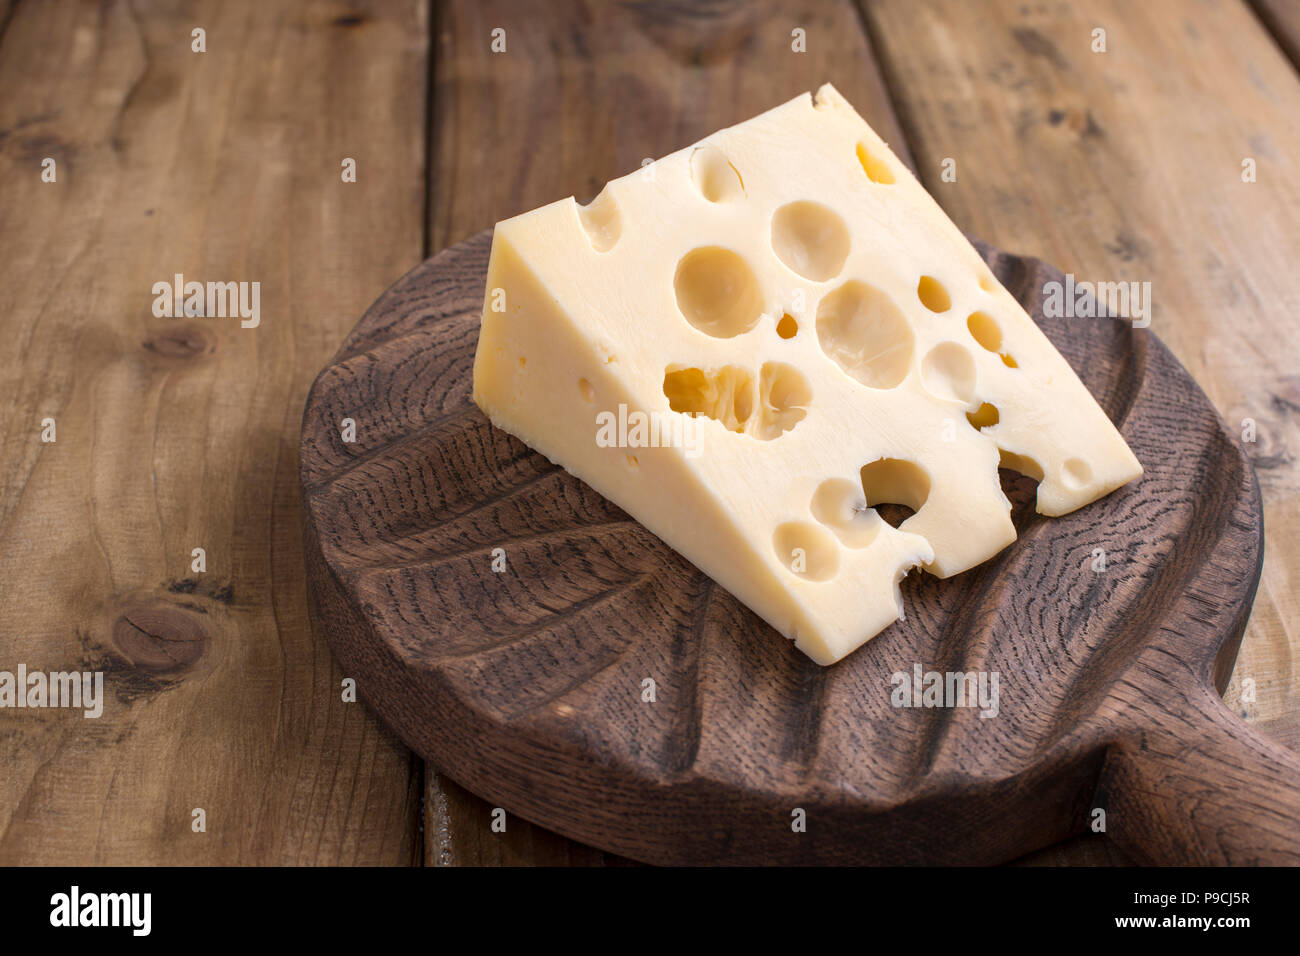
point(227, 166)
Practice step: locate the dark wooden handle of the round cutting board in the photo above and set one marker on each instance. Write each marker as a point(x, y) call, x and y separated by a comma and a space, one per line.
point(1210, 790)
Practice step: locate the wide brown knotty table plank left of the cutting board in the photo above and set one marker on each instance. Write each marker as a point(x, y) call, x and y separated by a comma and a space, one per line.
point(183, 434)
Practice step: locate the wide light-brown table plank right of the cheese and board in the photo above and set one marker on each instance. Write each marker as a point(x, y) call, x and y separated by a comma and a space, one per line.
point(1128, 165)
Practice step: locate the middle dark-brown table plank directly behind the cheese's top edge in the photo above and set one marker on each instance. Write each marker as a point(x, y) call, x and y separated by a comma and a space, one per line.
point(582, 94)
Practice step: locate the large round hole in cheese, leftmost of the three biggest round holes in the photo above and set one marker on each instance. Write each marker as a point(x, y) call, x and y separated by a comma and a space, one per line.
point(717, 292)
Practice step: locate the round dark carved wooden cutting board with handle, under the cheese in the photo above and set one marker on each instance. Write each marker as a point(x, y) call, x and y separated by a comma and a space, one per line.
point(1110, 630)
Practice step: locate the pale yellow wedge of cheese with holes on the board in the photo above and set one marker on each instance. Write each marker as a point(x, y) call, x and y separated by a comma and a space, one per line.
point(753, 343)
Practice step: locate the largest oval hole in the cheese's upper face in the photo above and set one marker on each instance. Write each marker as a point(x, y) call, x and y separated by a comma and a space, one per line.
point(864, 332)
